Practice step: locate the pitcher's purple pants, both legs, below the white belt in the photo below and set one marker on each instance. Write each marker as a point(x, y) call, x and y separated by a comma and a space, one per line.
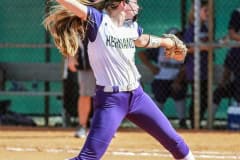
point(111, 108)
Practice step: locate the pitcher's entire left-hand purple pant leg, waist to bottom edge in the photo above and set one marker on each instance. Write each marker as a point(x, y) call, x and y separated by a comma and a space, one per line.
point(108, 115)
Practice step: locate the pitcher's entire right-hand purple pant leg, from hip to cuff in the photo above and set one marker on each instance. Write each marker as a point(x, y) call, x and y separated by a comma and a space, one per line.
point(148, 116)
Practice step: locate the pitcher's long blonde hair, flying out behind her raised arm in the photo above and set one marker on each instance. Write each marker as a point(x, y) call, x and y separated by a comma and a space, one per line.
point(66, 28)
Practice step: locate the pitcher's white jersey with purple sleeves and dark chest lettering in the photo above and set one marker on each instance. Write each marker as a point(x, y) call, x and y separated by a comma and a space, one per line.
point(111, 50)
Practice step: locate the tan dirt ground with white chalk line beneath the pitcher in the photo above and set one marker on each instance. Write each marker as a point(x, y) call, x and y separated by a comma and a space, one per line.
point(18, 143)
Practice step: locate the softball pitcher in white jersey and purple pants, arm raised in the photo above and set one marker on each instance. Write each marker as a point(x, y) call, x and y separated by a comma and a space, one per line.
point(113, 34)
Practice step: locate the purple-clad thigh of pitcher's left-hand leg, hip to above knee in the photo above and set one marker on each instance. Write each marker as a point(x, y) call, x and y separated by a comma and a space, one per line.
point(109, 111)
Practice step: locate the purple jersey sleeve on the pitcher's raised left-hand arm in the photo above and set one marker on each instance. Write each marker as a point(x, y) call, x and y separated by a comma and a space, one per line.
point(94, 21)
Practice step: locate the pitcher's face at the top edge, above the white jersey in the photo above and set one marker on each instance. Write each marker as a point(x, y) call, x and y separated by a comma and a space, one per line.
point(131, 9)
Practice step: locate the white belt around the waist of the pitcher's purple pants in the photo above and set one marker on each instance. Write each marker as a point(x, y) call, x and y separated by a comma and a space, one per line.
point(116, 89)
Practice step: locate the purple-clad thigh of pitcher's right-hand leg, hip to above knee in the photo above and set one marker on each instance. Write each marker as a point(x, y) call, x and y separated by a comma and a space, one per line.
point(149, 117)
